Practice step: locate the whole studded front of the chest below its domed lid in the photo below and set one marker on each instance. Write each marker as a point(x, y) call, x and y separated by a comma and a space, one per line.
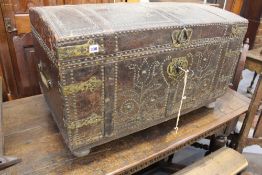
point(140, 91)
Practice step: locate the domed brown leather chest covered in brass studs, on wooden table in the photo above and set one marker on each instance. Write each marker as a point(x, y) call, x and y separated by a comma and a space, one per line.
point(110, 70)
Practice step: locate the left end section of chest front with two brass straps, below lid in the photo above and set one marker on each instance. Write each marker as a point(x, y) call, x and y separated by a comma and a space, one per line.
point(83, 92)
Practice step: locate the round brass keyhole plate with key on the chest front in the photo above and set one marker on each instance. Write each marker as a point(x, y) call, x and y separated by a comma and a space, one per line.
point(172, 69)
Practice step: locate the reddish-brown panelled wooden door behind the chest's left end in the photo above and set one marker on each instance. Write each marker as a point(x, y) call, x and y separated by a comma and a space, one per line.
point(17, 53)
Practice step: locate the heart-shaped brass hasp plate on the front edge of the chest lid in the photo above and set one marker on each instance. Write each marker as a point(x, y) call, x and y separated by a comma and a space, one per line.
point(181, 37)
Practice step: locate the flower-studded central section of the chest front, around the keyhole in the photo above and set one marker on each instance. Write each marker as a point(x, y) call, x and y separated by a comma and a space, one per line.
point(146, 92)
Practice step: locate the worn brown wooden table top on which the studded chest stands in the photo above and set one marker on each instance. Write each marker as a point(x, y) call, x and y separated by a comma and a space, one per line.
point(31, 134)
